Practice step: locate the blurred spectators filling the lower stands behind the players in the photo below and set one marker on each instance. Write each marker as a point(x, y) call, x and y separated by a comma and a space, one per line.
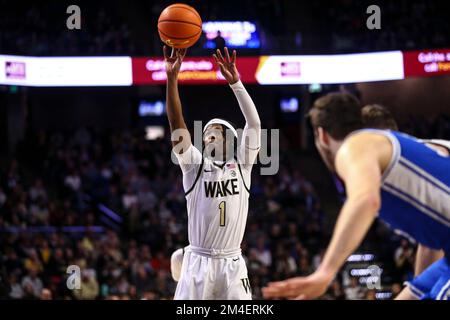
point(113, 205)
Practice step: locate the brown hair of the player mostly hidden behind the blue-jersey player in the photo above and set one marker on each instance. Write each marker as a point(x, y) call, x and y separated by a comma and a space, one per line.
point(378, 117)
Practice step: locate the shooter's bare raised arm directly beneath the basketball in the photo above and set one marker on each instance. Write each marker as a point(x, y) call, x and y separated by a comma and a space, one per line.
point(173, 103)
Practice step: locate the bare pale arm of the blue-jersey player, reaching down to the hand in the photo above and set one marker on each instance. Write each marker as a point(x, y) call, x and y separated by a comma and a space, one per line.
point(358, 165)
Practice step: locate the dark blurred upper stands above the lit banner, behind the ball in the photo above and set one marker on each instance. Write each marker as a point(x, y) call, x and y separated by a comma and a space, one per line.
point(115, 28)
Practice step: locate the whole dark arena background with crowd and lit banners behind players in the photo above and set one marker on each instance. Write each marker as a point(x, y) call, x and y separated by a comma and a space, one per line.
point(86, 177)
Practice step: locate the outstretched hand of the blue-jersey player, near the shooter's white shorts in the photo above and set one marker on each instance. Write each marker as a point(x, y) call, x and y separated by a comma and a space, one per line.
point(300, 288)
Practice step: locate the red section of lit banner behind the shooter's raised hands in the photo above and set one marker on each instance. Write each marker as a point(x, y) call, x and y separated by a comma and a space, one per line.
point(194, 70)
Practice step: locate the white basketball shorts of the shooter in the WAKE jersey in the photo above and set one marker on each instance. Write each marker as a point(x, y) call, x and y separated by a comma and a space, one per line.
point(206, 278)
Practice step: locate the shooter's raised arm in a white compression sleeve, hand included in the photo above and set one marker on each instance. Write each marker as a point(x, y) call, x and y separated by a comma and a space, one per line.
point(251, 138)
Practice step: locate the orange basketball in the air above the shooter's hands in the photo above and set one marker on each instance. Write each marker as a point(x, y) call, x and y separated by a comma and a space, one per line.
point(179, 26)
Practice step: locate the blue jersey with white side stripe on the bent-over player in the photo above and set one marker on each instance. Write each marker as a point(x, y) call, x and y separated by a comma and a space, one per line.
point(415, 191)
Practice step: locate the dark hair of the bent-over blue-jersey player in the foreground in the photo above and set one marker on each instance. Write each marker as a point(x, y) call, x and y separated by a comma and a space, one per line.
point(337, 113)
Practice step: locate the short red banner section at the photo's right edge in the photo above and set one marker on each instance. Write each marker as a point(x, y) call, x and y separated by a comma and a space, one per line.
point(426, 62)
